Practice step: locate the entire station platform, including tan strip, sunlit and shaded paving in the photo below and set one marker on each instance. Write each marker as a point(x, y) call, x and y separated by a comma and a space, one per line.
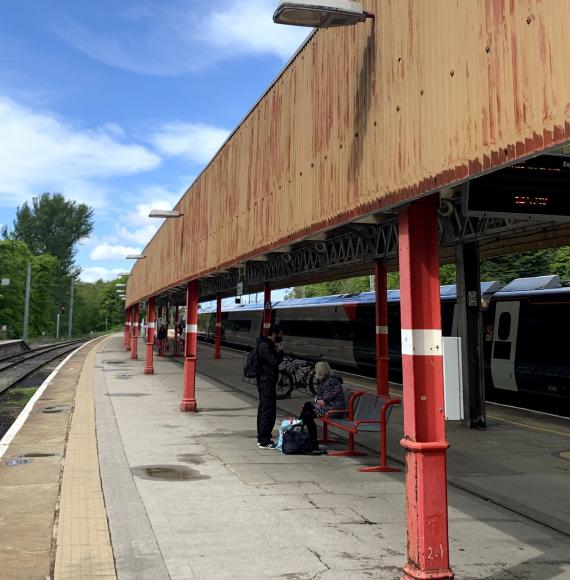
point(139, 490)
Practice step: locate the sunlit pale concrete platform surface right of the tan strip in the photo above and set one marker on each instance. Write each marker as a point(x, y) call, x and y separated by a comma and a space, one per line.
point(191, 496)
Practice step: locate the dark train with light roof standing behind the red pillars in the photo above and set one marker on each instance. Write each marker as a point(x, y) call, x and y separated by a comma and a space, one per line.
point(525, 325)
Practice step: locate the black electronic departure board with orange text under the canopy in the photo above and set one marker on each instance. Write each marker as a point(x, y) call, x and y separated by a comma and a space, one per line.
point(536, 189)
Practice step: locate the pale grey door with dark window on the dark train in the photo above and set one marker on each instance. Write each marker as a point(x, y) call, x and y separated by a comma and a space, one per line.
point(505, 345)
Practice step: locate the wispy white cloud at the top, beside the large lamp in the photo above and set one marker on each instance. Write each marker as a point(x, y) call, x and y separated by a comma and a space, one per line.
point(168, 39)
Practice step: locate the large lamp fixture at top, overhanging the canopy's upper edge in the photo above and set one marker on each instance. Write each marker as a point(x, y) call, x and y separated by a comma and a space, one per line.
point(319, 13)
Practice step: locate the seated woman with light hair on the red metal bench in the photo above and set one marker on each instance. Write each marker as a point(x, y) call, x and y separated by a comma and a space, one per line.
point(329, 397)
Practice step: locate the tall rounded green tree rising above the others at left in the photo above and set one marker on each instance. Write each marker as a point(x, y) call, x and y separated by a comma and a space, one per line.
point(52, 225)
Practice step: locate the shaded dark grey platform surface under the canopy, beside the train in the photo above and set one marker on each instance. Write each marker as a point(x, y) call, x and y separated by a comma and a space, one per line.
point(521, 461)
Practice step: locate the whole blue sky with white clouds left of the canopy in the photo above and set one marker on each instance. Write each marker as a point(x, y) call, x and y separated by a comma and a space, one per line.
point(120, 104)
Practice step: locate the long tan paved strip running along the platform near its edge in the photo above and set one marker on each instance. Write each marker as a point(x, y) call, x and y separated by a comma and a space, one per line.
point(83, 550)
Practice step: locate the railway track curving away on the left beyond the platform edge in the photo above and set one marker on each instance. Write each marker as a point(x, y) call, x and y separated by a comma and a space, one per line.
point(15, 367)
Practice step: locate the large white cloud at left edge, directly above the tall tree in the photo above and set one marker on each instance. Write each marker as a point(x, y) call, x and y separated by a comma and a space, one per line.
point(40, 152)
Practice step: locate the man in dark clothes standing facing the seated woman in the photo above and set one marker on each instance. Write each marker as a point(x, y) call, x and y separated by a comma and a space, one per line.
point(269, 357)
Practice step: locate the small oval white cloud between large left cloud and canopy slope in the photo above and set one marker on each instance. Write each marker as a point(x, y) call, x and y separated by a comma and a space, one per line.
point(197, 142)
